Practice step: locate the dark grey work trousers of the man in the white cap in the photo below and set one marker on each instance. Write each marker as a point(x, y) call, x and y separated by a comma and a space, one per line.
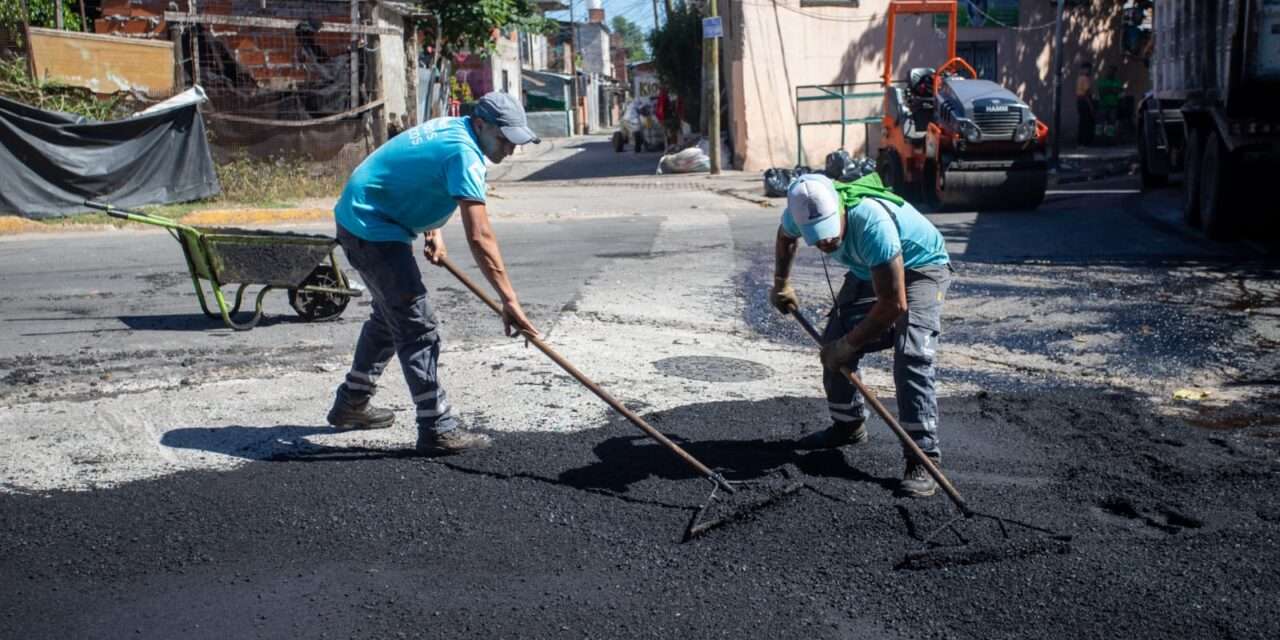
point(915, 340)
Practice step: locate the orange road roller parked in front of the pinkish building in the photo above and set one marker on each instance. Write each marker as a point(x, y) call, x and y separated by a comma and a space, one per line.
point(954, 141)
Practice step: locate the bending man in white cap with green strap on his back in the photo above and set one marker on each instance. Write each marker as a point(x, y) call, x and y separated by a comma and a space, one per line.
point(899, 275)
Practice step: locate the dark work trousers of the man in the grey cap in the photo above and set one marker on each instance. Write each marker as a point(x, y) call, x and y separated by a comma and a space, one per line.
point(401, 324)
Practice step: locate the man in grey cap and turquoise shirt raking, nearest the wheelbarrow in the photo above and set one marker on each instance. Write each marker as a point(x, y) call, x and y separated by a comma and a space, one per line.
point(412, 186)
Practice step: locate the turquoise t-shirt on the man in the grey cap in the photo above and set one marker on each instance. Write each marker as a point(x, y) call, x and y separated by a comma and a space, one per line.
point(413, 184)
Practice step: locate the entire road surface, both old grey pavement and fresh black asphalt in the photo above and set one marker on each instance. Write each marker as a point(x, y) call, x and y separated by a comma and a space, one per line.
point(209, 500)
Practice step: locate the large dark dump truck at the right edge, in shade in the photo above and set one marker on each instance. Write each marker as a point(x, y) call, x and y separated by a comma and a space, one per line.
point(1212, 113)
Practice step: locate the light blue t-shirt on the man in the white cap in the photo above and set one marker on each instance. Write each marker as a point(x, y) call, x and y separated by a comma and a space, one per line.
point(874, 240)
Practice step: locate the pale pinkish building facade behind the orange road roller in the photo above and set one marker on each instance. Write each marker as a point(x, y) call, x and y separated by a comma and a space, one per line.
point(774, 48)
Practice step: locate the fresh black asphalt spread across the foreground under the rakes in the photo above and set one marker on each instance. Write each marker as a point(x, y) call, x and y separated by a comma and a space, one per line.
point(579, 536)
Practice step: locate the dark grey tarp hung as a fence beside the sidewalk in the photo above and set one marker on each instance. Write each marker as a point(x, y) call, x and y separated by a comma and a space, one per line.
point(52, 162)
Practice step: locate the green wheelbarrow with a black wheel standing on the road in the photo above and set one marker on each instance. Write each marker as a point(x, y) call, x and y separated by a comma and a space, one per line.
point(294, 262)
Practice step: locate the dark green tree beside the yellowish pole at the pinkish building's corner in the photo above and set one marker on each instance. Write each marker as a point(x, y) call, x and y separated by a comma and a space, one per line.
point(678, 57)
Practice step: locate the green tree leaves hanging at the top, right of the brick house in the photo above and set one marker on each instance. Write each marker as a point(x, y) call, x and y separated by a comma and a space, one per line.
point(470, 26)
